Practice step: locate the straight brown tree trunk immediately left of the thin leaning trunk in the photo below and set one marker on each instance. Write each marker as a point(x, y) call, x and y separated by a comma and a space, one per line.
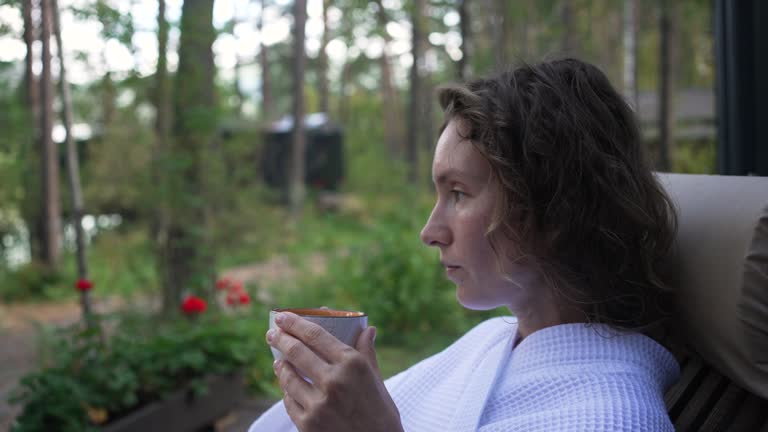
point(50, 154)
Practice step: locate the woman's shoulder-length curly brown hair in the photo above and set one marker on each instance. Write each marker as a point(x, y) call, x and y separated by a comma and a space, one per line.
point(578, 191)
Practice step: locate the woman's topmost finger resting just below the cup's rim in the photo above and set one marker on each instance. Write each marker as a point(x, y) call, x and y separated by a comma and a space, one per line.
point(312, 335)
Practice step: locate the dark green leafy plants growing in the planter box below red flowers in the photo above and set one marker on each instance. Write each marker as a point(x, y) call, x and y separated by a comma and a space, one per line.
point(140, 361)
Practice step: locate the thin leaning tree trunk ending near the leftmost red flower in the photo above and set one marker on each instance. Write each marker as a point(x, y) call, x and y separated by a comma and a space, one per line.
point(73, 168)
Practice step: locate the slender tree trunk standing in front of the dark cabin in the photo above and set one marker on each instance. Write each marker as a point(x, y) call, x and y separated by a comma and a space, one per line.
point(298, 146)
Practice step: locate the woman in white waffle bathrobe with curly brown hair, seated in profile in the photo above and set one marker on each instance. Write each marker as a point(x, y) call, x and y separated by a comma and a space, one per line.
point(545, 205)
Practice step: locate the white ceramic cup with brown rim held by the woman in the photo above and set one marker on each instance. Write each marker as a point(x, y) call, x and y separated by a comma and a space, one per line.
point(346, 326)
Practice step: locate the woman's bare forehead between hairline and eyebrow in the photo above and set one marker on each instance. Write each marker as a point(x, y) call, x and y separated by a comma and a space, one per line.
point(456, 156)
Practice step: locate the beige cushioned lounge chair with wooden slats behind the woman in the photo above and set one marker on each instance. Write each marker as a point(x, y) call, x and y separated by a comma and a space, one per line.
point(720, 271)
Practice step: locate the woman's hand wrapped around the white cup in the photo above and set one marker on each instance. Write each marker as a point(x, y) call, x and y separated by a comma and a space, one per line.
point(346, 392)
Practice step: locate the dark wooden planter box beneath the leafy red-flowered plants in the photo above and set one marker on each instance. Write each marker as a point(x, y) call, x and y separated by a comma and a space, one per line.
point(184, 411)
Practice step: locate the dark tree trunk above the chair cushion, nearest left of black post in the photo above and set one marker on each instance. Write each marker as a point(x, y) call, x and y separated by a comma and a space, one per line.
point(667, 53)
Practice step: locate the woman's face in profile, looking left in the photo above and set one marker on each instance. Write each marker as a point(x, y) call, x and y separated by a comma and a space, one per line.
point(466, 196)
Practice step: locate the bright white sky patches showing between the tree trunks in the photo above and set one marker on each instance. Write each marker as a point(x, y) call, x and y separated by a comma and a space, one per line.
point(84, 37)
